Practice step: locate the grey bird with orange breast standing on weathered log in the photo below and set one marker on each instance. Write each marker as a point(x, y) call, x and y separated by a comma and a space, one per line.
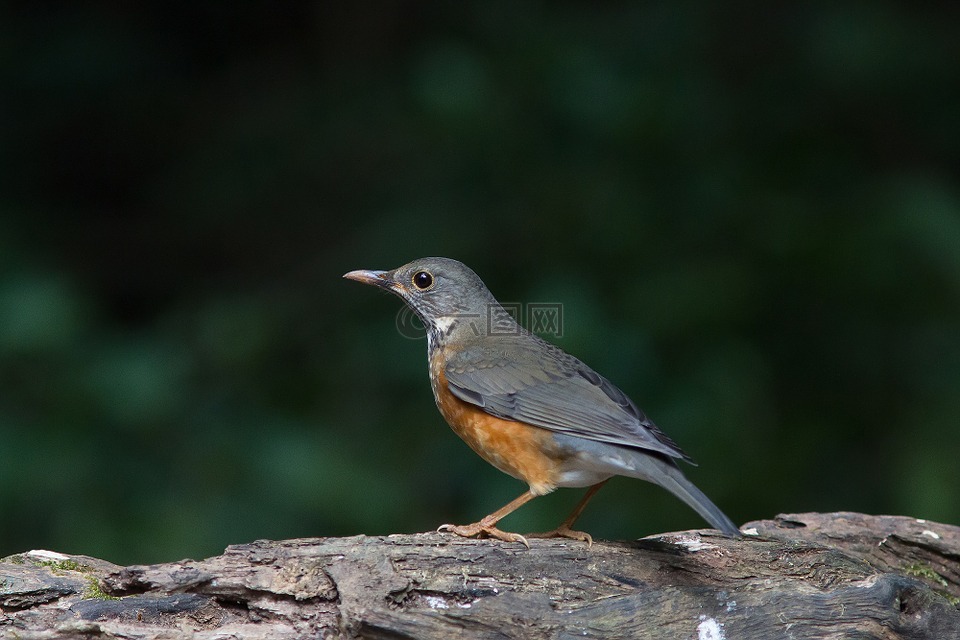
point(527, 407)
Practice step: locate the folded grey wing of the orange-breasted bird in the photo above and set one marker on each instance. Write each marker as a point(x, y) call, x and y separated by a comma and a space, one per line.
point(526, 379)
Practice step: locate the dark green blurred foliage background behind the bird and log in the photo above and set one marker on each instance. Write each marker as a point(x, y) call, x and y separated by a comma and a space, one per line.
point(750, 212)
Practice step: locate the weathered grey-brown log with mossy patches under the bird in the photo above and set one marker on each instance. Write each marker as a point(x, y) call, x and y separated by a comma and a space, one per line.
point(835, 575)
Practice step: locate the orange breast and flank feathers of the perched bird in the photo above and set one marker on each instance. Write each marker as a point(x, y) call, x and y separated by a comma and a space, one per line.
point(523, 451)
